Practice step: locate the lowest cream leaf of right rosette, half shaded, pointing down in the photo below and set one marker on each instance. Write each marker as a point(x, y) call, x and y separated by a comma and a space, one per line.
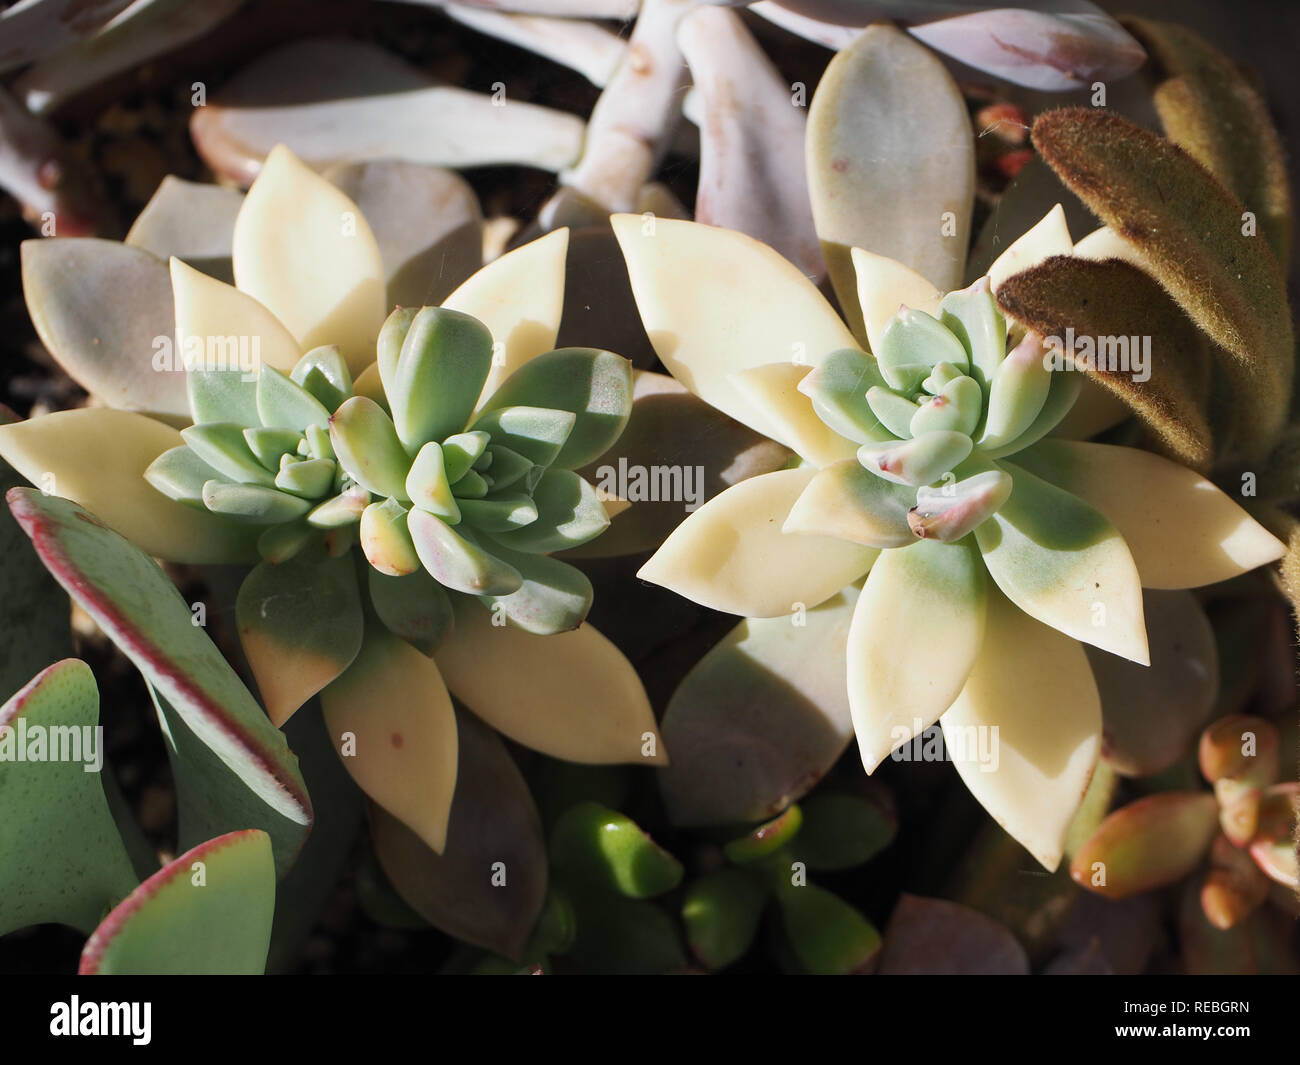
point(1030, 780)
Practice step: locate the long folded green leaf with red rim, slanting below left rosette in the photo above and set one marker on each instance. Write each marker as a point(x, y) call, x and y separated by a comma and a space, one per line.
point(236, 751)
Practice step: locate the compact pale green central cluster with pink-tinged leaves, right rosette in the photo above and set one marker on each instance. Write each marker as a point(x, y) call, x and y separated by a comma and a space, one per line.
point(942, 400)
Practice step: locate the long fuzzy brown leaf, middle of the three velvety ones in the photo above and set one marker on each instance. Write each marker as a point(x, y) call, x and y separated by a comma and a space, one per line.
point(1190, 230)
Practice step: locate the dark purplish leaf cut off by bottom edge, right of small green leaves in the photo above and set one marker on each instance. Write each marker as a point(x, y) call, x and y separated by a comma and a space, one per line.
point(934, 936)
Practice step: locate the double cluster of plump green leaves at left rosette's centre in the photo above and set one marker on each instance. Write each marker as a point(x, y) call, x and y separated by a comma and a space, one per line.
point(414, 473)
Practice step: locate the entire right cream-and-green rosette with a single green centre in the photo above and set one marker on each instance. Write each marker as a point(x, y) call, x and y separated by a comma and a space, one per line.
point(987, 549)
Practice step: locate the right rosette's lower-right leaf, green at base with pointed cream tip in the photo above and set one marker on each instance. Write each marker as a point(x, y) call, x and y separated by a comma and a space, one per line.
point(1065, 565)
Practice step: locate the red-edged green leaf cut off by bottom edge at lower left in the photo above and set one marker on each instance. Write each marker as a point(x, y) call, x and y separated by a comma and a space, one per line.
point(179, 924)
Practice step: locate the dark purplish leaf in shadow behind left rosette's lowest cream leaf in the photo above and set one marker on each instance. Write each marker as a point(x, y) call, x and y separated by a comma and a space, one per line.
point(495, 833)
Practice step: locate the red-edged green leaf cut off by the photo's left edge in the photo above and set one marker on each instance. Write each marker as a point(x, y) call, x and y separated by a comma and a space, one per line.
point(64, 858)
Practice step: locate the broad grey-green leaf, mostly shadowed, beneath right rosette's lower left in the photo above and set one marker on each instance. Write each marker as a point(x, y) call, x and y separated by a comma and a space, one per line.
point(760, 720)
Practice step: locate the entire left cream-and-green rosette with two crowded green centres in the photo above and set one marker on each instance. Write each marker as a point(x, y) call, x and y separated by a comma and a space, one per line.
point(440, 441)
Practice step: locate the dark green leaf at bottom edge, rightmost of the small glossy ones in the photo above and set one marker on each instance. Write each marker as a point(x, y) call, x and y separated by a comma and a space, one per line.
point(826, 934)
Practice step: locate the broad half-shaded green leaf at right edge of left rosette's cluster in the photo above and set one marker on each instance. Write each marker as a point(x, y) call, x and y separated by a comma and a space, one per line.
point(595, 386)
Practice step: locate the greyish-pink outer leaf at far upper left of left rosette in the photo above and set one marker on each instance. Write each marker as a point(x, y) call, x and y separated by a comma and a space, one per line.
point(107, 344)
